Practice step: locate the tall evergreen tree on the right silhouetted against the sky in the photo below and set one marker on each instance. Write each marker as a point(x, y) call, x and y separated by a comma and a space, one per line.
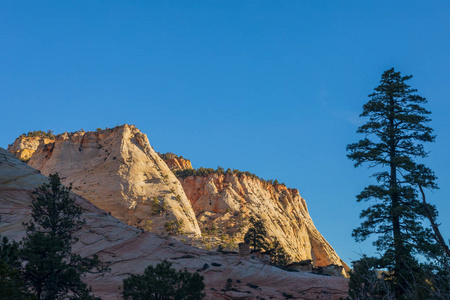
point(394, 135)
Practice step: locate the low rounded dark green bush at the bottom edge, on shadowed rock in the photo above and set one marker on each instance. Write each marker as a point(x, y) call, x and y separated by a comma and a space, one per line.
point(163, 282)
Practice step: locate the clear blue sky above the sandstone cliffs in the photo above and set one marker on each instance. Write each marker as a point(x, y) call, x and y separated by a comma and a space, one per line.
point(271, 87)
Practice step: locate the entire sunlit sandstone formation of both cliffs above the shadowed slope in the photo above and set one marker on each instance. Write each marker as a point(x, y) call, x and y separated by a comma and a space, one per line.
point(117, 170)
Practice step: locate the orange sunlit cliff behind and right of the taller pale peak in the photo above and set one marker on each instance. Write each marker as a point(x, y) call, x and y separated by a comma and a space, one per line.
point(225, 202)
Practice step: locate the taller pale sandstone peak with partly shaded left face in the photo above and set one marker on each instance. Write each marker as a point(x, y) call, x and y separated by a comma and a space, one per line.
point(118, 170)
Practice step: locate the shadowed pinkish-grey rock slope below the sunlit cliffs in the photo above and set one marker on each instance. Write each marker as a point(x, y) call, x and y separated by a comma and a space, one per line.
point(128, 250)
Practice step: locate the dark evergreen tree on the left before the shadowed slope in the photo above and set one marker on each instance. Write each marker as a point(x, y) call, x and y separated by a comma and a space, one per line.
point(51, 270)
